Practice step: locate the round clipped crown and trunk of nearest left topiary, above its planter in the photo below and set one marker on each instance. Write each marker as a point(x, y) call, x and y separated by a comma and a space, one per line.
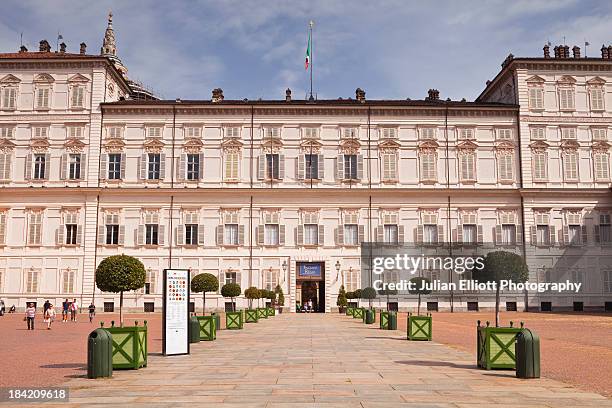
point(120, 273)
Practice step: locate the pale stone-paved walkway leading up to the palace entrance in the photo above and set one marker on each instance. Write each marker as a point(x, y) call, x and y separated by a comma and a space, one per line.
point(323, 361)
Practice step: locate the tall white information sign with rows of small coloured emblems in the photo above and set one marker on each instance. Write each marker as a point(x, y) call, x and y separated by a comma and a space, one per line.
point(175, 320)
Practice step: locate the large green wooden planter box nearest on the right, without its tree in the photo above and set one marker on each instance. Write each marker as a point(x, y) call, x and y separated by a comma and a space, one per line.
point(496, 346)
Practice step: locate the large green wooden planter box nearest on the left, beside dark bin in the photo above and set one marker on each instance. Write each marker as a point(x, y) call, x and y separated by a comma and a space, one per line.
point(129, 346)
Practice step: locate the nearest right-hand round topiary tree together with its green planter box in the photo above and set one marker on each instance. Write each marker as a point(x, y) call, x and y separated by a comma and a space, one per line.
point(499, 265)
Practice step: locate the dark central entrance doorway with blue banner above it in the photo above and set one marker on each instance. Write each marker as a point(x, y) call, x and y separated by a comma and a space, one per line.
point(310, 286)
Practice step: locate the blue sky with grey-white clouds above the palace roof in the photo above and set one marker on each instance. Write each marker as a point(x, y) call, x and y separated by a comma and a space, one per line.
point(393, 49)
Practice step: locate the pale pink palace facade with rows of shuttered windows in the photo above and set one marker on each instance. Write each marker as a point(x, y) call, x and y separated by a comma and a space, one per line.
point(283, 192)
